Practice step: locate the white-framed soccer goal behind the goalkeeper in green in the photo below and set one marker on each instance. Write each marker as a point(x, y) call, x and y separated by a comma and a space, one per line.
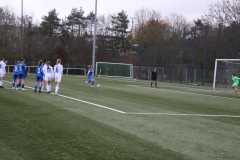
point(224, 68)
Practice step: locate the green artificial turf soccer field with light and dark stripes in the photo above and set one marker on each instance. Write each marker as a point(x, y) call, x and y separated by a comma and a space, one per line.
point(122, 120)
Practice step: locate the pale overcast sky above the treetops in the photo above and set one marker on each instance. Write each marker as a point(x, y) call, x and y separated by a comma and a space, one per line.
point(191, 9)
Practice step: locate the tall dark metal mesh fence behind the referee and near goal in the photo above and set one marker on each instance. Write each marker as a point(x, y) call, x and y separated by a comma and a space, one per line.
point(193, 60)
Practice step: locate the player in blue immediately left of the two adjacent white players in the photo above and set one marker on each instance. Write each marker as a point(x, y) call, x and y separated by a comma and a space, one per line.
point(39, 77)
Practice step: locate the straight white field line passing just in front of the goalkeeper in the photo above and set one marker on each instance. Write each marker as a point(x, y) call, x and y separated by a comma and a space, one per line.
point(199, 94)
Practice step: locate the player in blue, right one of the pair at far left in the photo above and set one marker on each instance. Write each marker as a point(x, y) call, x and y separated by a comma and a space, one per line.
point(22, 74)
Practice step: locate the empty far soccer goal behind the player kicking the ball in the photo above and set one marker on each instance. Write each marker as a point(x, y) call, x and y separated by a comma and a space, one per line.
point(121, 70)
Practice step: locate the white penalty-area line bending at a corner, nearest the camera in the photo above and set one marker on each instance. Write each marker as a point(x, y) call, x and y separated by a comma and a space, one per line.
point(133, 113)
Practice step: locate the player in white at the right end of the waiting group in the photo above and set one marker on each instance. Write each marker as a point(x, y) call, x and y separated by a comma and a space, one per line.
point(58, 73)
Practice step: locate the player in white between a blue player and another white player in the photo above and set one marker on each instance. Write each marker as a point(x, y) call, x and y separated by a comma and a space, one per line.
point(48, 75)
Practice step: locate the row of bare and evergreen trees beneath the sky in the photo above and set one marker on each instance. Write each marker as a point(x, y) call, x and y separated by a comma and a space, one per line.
point(119, 37)
